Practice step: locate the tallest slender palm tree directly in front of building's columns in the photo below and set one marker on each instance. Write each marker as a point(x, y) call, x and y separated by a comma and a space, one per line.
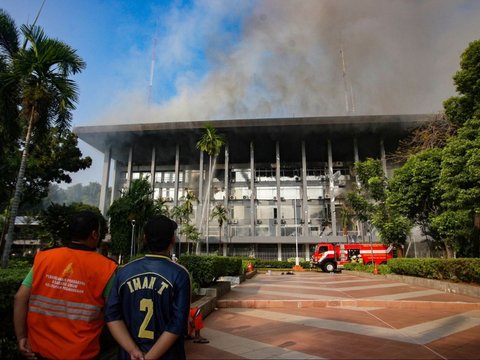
point(211, 142)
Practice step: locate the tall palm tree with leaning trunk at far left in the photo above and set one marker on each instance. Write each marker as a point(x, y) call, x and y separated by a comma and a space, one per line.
point(39, 72)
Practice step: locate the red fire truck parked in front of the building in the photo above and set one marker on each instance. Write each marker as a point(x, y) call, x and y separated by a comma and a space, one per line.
point(330, 256)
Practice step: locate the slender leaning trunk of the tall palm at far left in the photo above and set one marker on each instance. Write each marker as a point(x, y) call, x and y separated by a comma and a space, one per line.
point(17, 195)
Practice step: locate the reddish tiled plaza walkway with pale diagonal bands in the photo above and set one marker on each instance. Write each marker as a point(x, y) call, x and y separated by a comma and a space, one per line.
point(339, 316)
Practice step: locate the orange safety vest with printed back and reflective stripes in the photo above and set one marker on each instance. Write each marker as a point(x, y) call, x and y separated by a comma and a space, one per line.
point(65, 315)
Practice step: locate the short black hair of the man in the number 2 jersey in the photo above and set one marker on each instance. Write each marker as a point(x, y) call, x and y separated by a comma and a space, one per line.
point(159, 231)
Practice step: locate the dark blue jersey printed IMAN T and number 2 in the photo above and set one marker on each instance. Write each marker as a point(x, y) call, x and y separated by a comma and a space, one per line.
point(151, 295)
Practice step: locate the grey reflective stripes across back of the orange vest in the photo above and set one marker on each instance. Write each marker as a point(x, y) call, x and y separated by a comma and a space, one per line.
point(64, 309)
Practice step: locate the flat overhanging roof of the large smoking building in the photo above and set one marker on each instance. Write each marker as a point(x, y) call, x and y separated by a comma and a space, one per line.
point(103, 137)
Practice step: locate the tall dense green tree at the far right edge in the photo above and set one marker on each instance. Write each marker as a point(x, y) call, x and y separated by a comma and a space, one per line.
point(459, 177)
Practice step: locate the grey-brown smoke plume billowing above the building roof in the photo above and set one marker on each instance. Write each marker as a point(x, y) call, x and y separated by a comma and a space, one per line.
point(283, 59)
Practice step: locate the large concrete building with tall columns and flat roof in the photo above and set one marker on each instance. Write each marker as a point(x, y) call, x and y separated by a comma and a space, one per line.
point(283, 180)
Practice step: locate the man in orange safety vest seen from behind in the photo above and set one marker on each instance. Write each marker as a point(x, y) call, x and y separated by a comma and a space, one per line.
point(58, 308)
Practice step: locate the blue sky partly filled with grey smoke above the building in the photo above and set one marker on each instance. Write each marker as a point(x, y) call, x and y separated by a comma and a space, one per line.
point(150, 61)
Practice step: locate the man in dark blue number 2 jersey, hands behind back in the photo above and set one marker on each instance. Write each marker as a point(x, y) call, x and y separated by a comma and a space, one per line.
point(147, 310)
